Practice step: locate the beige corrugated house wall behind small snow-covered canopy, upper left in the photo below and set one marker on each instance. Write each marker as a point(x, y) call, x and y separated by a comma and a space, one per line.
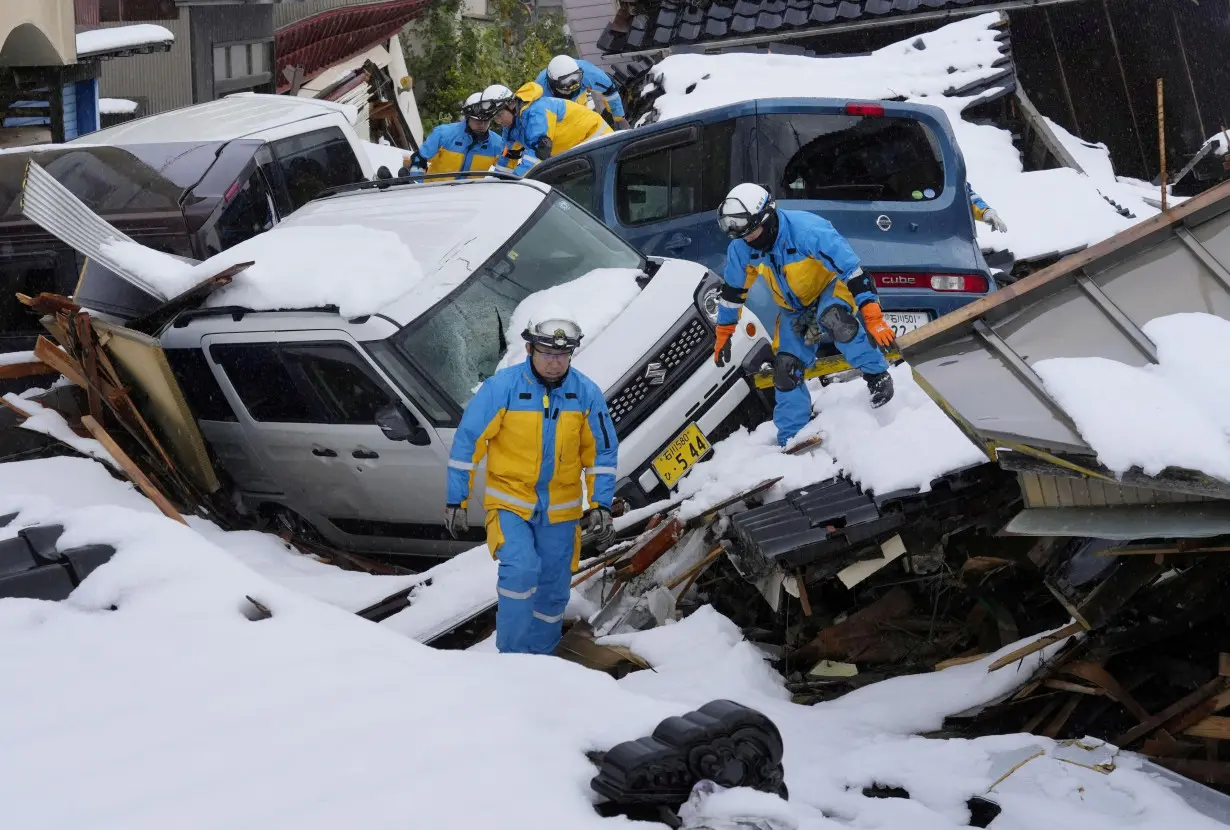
point(163, 81)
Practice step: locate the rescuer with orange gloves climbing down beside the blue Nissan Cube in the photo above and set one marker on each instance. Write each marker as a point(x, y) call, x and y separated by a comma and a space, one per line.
point(817, 287)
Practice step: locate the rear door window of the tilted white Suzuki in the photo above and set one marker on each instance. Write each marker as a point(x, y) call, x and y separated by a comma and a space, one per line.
point(264, 384)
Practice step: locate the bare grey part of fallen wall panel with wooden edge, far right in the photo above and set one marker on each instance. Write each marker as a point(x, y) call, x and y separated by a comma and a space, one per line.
point(977, 362)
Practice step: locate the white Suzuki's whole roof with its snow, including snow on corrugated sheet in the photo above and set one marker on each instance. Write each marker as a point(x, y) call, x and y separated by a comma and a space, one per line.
point(395, 251)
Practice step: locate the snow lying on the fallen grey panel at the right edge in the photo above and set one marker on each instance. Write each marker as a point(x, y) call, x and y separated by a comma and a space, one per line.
point(1180, 409)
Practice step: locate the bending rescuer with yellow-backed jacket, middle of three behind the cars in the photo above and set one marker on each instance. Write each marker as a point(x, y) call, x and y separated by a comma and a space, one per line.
point(541, 126)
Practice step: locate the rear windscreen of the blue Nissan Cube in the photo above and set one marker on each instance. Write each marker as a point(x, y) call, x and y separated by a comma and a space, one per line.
point(851, 158)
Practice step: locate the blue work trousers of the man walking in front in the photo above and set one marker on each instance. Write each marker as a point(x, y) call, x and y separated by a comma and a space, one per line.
point(536, 572)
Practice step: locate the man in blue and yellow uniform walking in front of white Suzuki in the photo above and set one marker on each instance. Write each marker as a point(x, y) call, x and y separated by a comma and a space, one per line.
point(543, 427)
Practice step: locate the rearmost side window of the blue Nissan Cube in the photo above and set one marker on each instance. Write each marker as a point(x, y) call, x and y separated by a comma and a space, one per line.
point(689, 176)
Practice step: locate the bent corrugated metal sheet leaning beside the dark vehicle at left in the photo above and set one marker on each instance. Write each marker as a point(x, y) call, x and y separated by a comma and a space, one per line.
point(54, 207)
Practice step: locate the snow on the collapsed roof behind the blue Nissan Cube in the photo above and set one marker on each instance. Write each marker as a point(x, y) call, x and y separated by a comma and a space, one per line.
point(1046, 211)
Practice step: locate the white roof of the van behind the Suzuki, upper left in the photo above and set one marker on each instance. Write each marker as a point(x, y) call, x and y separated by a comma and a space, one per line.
point(234, 117)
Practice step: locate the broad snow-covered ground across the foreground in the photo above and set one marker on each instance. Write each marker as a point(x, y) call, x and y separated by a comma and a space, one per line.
point(177, 710)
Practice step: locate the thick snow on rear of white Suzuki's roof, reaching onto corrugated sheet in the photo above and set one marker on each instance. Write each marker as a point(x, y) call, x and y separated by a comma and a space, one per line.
point(359, 270)
